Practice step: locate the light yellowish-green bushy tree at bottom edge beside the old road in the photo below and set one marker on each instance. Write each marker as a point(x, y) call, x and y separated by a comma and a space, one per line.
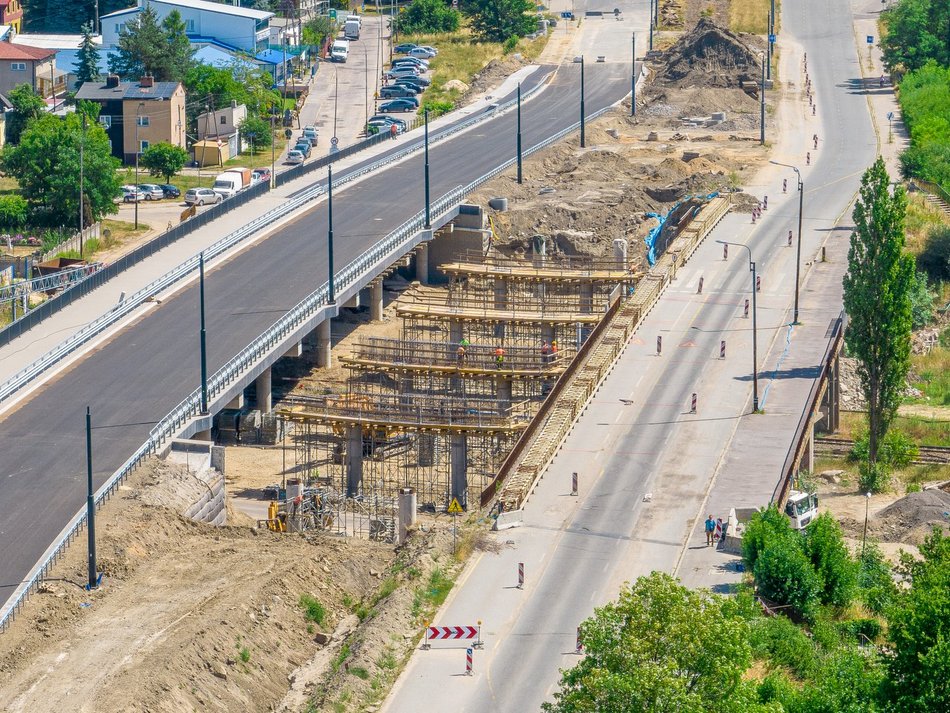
point(658, 647)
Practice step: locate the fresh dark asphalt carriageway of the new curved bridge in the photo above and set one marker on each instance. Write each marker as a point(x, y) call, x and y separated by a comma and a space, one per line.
point(139, 375)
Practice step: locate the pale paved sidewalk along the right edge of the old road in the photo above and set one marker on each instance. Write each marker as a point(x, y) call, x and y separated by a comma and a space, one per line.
point(748, 471)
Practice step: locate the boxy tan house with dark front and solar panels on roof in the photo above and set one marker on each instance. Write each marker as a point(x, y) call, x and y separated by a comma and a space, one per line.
point(136, 115)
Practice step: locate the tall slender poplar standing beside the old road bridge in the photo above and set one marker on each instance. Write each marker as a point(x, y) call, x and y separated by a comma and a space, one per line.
point(877, 300)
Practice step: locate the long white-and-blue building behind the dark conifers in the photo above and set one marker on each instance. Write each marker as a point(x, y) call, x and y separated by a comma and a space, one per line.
point(239, 27)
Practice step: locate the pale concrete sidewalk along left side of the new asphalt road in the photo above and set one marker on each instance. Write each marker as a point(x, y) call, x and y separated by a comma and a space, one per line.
point(32, 345)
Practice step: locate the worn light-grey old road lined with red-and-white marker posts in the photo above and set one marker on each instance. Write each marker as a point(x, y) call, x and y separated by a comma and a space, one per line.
point(645, 462)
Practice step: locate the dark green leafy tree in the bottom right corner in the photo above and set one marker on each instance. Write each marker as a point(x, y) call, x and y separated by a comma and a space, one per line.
point(919, 627)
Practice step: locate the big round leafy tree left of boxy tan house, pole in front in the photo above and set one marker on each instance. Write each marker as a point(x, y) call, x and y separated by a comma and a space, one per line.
point(46, 164)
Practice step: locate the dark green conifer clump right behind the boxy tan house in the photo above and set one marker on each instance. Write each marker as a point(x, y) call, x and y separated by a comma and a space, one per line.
point(147, 47)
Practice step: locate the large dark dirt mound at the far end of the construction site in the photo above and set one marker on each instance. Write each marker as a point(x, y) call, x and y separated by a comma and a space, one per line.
point(708, 56)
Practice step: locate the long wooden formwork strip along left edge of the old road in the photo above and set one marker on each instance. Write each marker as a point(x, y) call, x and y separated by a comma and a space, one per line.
point(539, 443)
